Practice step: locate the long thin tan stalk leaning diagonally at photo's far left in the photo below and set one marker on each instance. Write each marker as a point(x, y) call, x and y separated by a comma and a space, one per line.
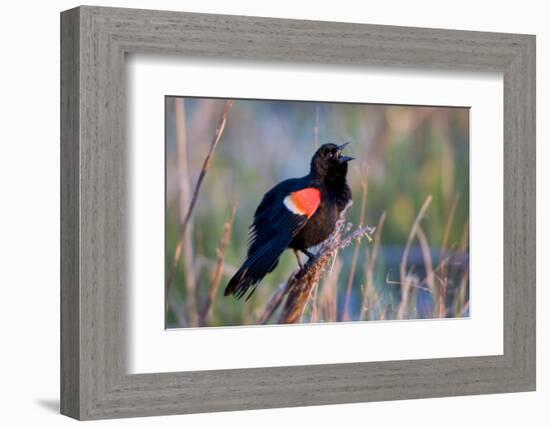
point(204, 169)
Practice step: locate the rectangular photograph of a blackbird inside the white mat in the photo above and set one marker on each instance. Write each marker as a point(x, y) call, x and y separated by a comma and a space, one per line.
point(298, 212)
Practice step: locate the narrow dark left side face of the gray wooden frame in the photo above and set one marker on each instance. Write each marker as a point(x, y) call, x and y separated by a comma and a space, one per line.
point(70, 292)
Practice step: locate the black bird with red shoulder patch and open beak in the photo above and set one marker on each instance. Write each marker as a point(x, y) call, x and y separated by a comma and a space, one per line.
point(298, 213)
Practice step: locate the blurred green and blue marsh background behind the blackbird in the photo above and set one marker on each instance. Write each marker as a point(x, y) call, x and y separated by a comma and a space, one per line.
point(403, 155)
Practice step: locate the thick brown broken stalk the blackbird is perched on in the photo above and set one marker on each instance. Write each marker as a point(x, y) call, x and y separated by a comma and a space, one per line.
point(301, 283)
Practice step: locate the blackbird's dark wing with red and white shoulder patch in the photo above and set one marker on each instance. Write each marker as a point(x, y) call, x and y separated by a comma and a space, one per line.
point(277, 220)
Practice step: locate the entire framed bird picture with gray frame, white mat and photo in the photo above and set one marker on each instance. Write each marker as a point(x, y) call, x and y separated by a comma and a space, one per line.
point(261, 213)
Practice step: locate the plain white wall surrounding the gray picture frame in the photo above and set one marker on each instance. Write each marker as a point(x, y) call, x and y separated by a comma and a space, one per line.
point(29, 213)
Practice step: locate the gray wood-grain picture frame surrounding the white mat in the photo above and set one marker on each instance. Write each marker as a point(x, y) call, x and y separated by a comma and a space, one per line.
point(94, 41)
